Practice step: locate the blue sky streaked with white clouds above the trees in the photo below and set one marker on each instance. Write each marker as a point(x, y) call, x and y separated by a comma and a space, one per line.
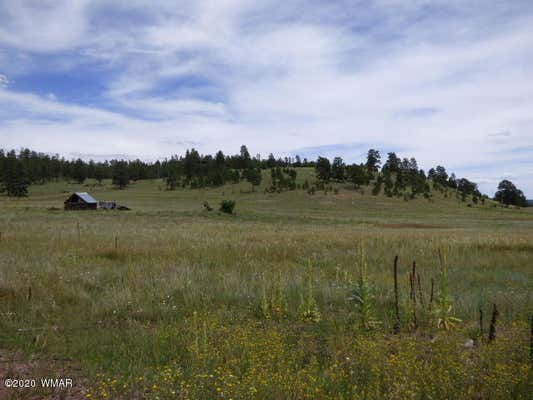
point(449, 82)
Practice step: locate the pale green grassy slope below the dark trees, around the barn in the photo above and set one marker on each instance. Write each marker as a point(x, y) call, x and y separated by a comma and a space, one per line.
point(348, 206)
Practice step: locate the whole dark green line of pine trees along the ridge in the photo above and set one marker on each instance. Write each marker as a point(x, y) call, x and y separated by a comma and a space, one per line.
point(394, 177)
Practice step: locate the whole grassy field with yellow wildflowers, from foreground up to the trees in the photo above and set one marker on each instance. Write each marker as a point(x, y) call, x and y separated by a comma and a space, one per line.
point(171, 301)
